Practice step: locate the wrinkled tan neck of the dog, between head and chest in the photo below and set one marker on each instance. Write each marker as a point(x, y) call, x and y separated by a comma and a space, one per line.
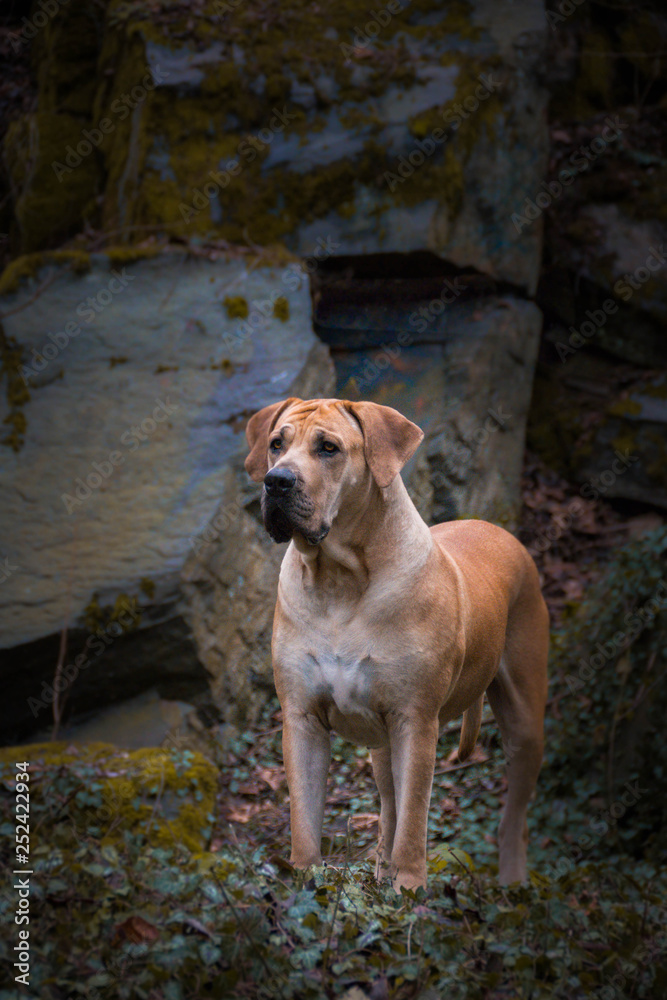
point(369, 538)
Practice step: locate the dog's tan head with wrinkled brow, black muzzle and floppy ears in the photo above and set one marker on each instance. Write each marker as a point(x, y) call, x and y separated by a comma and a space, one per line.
point(312, 455)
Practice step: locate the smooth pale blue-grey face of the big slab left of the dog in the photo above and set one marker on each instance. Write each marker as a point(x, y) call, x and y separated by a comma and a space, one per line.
point(162, 347)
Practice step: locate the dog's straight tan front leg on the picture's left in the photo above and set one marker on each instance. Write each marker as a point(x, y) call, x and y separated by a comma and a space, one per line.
point(307, 755)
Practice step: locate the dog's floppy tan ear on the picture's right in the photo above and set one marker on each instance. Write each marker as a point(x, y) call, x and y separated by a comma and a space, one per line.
point(390, 439)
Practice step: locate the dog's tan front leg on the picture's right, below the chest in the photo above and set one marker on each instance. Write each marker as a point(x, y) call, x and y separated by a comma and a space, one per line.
point(413, 744)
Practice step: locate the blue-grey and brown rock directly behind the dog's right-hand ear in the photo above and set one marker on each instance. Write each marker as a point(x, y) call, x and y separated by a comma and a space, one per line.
point(456, 359)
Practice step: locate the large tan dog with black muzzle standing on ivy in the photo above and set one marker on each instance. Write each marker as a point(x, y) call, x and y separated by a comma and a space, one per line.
point(385, 630)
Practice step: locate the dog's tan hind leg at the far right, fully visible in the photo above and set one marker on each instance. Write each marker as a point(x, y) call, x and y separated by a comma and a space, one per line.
point(517, 696)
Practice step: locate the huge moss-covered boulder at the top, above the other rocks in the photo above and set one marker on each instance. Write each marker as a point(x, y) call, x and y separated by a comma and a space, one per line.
point(306, 131)
